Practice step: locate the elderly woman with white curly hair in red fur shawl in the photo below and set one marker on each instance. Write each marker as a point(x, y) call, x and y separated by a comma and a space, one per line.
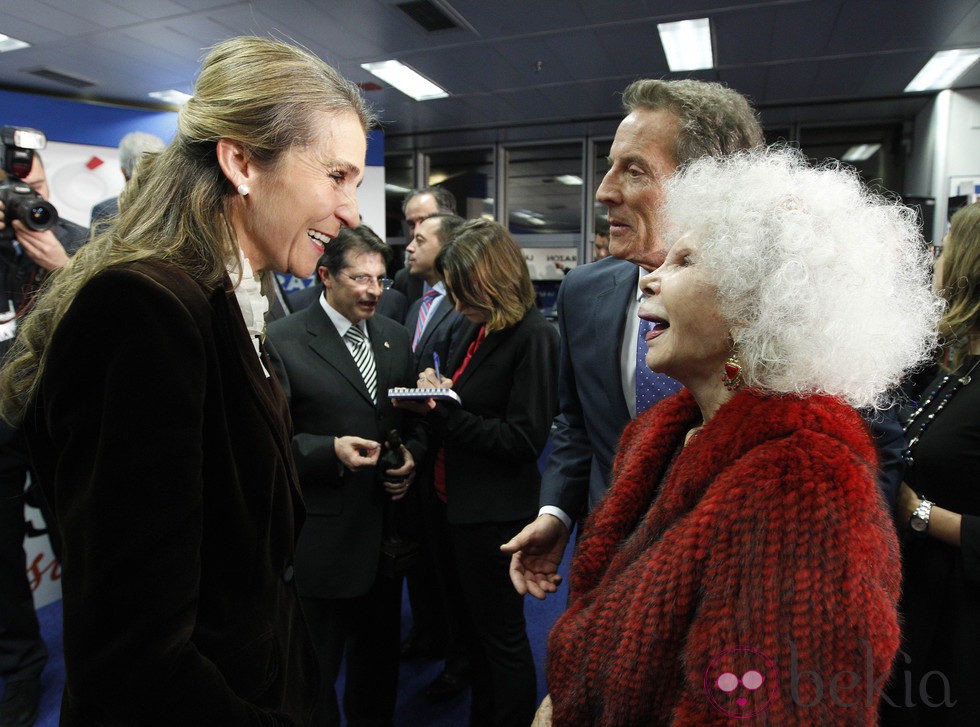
point(744, 563)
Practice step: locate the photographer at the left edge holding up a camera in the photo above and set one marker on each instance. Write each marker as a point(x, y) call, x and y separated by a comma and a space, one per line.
point(25, 260)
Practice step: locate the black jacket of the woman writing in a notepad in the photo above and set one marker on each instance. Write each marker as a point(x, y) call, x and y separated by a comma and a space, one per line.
point(509, 394)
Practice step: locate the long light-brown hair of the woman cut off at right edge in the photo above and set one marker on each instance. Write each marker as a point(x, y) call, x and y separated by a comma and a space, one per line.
point(961, 285)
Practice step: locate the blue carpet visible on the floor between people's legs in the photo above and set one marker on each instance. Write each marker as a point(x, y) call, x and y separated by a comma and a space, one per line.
point(413, 709)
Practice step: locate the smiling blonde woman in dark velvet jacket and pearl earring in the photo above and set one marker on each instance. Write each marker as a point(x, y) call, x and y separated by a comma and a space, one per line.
point(152, 420)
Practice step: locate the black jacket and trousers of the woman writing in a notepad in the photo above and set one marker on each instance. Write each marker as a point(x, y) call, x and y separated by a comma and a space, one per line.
point(492, 443)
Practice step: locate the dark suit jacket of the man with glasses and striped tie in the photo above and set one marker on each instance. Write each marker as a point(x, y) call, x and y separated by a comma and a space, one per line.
point(340, 545)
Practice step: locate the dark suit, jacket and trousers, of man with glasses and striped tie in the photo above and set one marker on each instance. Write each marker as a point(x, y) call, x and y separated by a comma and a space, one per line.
point(350, 607)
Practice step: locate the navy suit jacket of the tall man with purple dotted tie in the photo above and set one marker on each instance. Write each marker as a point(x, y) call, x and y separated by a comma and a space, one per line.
point(592, 304)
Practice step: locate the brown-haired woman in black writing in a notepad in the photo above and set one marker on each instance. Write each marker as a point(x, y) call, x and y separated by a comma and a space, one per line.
point(487, 478)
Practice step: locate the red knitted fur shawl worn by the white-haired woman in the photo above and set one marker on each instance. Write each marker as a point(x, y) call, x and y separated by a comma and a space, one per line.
point(759, 581)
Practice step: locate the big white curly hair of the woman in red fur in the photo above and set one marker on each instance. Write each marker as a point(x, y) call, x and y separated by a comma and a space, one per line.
point(825, 284)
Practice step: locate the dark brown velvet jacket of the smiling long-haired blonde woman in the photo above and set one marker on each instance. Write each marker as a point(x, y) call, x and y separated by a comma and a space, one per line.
point(165, 452)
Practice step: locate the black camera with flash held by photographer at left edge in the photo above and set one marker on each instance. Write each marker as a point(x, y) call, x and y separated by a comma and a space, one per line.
point(20, 202)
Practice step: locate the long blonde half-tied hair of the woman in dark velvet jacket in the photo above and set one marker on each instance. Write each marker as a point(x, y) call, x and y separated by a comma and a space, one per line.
point(258, 92)
